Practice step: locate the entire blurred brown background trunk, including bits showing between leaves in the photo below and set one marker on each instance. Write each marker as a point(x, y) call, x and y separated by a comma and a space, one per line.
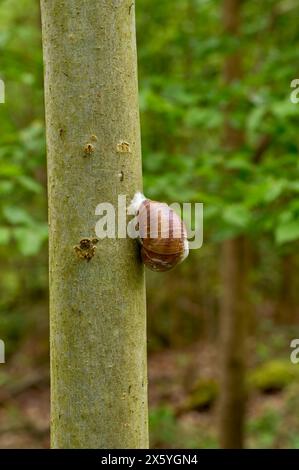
point(233, 308)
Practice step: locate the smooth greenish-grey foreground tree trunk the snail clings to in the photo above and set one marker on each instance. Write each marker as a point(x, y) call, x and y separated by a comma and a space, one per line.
point(97, 306)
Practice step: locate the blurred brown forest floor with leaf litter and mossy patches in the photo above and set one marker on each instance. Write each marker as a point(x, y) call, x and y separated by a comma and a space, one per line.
point(176, 419)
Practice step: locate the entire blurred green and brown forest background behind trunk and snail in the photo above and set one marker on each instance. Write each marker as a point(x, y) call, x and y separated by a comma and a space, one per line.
point(218, 127)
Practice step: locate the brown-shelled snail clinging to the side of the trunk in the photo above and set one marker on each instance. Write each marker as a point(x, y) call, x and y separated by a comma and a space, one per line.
point(162, 234)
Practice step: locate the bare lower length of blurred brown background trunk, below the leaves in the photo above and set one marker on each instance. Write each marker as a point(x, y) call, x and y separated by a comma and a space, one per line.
point(233, 324)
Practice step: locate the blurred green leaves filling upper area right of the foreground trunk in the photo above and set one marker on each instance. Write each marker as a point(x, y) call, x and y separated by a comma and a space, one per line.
point(183, 97)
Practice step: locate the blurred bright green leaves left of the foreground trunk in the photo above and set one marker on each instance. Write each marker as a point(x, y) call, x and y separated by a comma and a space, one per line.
point(22, 148)
